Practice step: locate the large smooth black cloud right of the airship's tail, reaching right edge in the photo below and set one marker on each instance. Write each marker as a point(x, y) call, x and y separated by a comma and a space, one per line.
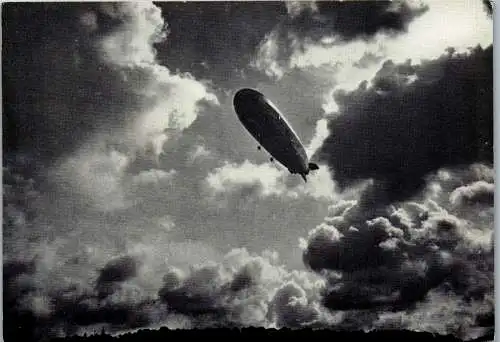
point(399, 129)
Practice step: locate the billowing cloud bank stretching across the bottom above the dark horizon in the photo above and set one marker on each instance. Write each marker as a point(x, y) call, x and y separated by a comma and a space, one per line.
point(394, 261)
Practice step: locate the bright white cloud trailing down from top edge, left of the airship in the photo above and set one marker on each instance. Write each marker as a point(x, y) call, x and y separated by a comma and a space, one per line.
point(171, 101)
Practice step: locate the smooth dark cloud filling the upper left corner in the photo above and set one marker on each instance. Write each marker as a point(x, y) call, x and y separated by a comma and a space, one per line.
point(63, 92)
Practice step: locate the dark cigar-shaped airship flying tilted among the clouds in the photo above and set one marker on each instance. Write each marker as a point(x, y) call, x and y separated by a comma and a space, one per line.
point(268, 126)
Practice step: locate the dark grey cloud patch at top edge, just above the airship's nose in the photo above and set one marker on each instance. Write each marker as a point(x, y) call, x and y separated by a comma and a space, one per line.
point(224, 35)
